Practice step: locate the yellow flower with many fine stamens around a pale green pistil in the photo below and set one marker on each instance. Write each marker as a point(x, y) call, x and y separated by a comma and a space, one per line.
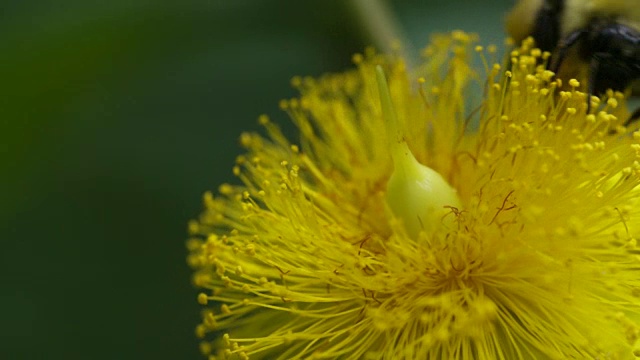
point(406, 225)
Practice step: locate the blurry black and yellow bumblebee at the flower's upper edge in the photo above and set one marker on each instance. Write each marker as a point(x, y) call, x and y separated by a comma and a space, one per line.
point(599, 37)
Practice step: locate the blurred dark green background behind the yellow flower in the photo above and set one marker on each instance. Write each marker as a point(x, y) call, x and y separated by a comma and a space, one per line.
point(115, 116)
